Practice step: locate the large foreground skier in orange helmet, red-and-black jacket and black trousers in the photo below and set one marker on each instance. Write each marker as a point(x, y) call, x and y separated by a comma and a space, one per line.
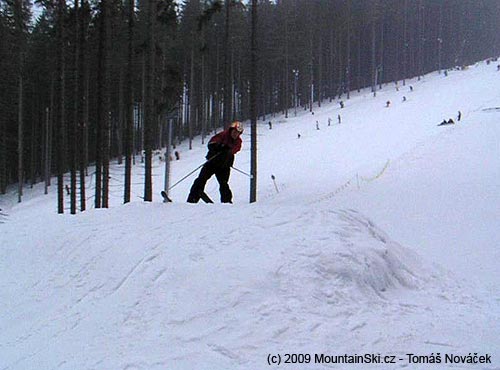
point(221, 150)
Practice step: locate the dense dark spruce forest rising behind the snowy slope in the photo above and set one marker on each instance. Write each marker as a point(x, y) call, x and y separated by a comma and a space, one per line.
point(86, 82)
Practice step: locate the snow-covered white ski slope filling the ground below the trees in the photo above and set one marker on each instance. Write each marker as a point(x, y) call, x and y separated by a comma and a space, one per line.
point(381, 237)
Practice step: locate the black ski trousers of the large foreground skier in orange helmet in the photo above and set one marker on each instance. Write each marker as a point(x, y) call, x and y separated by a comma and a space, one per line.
point(207, 171)
